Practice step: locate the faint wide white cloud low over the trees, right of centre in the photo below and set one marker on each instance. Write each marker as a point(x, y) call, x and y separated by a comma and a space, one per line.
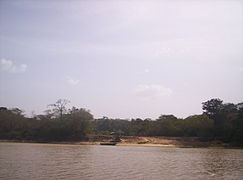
point(152, 91)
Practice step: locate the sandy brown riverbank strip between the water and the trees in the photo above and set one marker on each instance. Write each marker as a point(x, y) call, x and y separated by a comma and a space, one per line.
point(182, 142)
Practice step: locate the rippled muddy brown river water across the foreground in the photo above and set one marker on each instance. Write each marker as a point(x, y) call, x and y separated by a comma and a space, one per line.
point(43, 161)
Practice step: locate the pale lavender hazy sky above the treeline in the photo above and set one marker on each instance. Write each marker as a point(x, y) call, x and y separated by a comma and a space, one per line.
point(121, 58)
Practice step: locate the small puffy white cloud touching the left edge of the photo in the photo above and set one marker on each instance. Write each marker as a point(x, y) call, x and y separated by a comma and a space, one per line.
point(9, 66)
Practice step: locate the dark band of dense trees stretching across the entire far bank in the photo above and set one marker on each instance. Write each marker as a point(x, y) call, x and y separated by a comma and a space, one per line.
point(219, 121)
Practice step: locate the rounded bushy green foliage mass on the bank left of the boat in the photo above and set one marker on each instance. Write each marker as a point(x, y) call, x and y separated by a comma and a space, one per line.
point(74, 125)
